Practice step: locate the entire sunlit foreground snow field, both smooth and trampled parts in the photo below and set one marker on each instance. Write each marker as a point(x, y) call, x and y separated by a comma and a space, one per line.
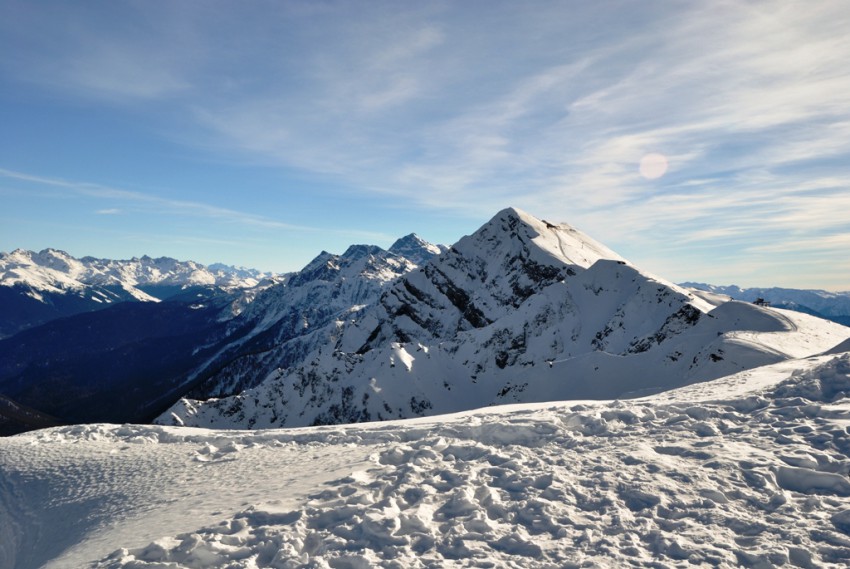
point(748, 470)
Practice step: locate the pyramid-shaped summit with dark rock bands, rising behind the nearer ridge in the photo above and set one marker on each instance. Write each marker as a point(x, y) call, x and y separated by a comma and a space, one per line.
point(488, 275)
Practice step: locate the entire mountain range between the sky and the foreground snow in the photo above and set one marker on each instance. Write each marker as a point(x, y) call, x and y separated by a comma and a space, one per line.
point(522, 310)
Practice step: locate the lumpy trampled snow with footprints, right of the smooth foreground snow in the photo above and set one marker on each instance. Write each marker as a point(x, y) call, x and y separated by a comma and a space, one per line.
point(753, 482)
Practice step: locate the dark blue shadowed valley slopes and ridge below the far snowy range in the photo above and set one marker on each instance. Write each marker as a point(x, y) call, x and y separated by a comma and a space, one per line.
point(83, 367)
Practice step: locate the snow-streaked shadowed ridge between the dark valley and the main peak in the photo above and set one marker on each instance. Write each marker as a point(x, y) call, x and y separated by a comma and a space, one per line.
point(287, 321)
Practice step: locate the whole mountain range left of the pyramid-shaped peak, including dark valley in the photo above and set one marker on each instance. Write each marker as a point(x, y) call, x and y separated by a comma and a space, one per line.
point(120, 341)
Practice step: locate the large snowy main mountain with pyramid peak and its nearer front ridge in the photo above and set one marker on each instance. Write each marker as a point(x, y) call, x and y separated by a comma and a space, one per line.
point(523, 310)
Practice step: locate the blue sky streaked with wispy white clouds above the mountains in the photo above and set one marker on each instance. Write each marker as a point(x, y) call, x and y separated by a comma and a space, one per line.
point(259, 133)
